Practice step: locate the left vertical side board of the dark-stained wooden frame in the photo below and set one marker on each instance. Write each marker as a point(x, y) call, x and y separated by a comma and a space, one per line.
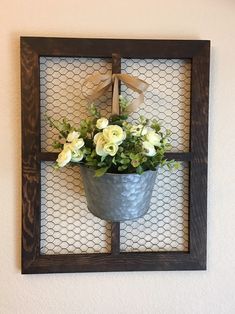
point(30, 150)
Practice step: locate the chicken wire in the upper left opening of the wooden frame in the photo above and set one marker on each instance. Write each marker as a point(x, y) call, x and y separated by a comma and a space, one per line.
point(63, 92)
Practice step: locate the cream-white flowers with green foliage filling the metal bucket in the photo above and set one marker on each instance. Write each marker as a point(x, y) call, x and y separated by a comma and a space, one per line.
point(112, 144)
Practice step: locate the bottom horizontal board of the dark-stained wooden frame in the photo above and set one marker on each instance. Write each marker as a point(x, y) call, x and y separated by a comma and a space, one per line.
point(107, 262)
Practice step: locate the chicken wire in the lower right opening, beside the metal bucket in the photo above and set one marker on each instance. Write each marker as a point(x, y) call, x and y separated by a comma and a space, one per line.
point(165, 226)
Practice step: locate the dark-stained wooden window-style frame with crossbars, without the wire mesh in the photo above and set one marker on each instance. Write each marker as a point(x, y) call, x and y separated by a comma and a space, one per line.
point(199, 53)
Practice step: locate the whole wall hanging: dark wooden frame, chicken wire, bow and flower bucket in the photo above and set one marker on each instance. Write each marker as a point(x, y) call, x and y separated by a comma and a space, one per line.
point(75, 222)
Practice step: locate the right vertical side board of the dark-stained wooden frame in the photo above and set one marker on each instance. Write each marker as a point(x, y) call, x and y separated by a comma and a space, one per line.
point(199, 148)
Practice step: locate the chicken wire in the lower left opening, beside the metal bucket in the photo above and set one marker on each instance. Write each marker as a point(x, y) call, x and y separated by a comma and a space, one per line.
point(66, 224)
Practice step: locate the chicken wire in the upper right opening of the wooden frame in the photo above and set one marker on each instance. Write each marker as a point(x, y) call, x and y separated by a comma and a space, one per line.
point(168, 96)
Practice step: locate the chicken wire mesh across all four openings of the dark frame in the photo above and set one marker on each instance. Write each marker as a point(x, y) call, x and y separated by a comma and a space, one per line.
point(168, 101)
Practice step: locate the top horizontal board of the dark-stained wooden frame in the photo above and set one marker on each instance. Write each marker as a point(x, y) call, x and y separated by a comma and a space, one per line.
point(126, 48)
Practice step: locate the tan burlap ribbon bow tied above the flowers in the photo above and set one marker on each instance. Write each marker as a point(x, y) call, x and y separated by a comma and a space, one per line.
point(104, 81)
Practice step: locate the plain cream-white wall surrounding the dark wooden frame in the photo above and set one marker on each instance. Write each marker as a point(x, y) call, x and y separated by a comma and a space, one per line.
point(207, 292)
